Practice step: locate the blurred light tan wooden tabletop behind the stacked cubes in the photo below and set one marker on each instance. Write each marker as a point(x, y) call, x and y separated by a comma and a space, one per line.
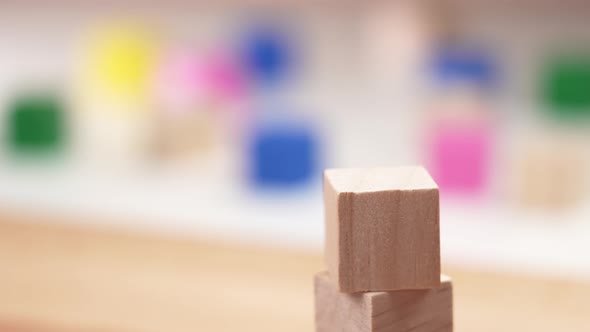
point(56, 278)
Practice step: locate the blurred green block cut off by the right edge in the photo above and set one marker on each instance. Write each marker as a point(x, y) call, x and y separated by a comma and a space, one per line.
point(566, 85)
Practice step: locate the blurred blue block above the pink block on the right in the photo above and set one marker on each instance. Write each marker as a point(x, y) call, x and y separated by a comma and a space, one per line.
point(463, 64)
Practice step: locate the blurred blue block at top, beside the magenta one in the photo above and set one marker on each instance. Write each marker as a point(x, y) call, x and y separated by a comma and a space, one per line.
point(268, 53)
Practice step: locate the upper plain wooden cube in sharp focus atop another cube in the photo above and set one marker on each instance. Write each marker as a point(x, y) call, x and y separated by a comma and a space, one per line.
point(382, 229)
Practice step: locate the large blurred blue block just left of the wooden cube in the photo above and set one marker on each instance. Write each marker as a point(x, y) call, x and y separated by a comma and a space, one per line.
point(283, 156)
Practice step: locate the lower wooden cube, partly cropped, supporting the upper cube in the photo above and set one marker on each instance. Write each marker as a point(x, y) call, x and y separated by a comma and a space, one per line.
point(423, 310)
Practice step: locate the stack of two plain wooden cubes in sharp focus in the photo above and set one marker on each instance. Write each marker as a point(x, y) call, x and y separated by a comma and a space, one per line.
point(382, 253)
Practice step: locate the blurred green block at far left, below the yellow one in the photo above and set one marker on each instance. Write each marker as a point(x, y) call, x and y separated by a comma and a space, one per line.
point(36, 124)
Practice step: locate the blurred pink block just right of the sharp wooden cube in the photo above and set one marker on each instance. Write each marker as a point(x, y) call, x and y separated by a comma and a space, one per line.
point(460, 155)
